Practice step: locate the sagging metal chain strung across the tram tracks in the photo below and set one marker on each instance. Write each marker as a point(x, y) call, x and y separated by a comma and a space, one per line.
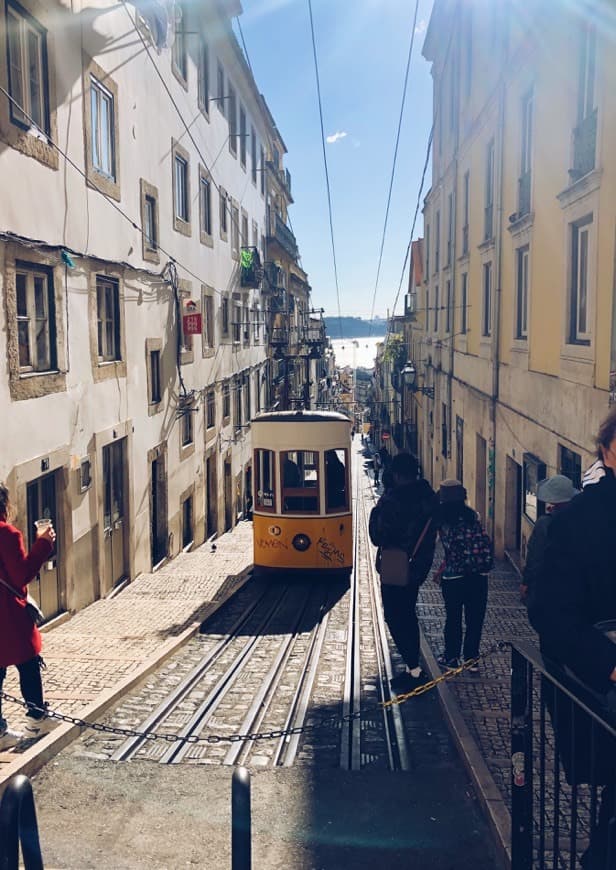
point(328, 722)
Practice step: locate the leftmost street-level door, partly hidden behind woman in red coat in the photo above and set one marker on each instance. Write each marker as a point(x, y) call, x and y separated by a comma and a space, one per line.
point(42, 504)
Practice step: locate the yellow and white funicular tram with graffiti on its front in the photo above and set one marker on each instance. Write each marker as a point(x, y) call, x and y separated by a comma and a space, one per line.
point(302, 492)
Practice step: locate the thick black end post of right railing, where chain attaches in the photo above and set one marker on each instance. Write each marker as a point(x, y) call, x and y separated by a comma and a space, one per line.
point(521, 763)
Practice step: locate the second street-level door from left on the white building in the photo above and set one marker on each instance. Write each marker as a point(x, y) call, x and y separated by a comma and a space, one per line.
point(115, 530)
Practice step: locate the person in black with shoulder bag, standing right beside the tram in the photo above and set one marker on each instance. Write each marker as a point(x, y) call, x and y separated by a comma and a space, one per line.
point(397, 522)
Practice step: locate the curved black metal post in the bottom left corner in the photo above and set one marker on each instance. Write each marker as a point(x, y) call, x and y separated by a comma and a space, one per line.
point(18, 824)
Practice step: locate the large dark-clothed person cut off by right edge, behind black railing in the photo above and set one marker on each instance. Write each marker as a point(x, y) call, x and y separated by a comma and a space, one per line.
point(577, 591)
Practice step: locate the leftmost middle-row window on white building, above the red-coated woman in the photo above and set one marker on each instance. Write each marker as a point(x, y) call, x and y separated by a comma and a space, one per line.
point(35, 318)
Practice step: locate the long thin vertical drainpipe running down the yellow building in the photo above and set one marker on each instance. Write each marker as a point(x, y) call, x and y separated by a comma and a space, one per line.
point(491, 520)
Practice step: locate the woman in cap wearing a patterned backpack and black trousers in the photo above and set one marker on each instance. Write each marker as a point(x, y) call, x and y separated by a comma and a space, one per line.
point(463, 573)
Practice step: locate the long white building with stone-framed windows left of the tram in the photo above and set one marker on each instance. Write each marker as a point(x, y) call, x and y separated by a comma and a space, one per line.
point(131, 271)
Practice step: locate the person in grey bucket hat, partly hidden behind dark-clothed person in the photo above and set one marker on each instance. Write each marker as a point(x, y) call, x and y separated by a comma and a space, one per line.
point(556, 492)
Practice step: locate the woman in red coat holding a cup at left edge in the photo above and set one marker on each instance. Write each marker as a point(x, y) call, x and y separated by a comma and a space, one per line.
point(20, 639)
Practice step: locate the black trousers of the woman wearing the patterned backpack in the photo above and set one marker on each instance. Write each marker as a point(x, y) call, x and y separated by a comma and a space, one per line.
point(466, 595)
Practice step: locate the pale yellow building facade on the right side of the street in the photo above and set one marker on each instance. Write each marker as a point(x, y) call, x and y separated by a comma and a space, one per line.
point(516, 328)
